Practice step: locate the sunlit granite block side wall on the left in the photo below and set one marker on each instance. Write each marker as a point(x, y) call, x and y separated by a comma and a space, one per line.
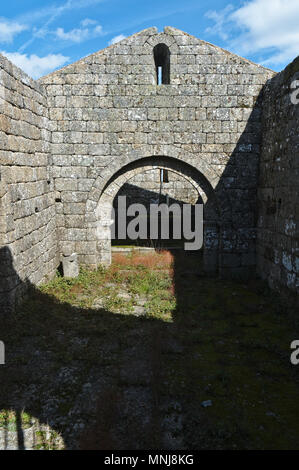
point(28, 243)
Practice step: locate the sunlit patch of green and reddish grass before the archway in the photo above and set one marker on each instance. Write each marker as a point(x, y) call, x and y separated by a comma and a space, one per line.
point(138, 274)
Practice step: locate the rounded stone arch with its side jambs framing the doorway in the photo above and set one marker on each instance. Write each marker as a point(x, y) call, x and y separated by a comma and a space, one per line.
point(99, 204)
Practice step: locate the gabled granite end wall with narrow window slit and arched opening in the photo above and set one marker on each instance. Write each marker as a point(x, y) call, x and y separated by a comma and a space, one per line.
point(107, 112)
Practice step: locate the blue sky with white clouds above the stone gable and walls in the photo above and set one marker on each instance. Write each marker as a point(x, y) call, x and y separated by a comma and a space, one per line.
point(40, 36)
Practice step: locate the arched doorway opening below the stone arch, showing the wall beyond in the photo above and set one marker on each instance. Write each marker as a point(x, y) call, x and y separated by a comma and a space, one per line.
point(148, 189)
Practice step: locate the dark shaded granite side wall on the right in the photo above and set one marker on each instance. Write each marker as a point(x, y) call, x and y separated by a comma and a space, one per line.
point(278, 195)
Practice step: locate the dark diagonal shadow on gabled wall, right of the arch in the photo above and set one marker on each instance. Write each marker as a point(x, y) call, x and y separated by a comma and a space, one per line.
point(236, 192)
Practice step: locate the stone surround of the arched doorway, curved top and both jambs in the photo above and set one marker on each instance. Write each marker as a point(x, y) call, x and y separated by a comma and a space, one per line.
point(101, 219)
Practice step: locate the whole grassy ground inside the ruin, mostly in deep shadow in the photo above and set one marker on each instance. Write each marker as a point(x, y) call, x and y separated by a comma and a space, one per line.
point(152, 354)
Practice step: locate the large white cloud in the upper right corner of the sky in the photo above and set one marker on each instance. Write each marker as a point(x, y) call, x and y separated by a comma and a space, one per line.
point(260, 26)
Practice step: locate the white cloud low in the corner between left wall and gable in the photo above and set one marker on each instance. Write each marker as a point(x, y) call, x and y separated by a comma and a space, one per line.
point(34, 65)
